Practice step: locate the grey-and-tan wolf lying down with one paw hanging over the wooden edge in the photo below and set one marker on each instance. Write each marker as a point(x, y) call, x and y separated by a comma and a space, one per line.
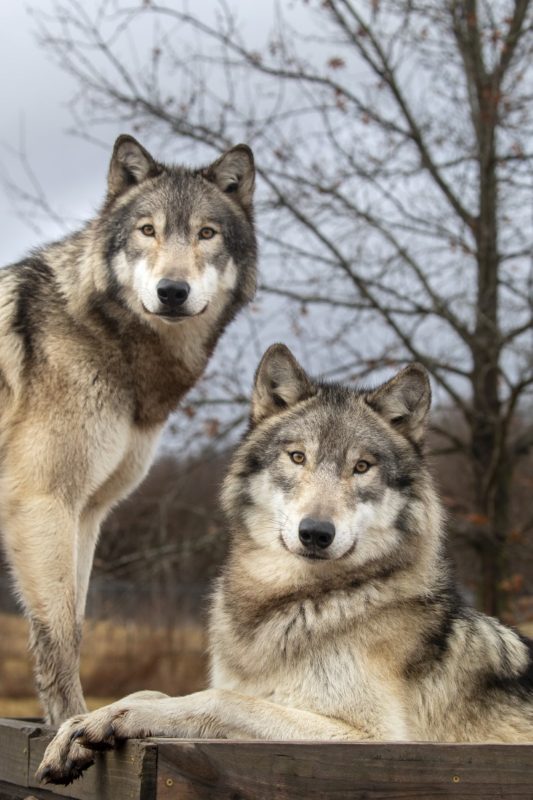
point(335, 616)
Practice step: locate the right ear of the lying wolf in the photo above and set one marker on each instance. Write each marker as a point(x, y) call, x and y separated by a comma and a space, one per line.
point(404, 401)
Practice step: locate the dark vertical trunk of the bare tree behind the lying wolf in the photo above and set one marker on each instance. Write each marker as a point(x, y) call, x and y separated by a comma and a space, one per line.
point(488, 448)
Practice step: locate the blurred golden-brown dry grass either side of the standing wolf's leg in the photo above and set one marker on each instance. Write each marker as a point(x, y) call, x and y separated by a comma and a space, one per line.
point(117, 658)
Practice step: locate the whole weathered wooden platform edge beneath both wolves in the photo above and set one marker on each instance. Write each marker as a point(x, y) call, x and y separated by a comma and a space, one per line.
point(230, 770)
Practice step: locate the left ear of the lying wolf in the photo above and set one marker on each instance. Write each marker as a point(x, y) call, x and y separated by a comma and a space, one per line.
point(280, 382)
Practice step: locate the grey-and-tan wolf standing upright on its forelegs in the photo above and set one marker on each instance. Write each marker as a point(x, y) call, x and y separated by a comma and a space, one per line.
point(101, 335)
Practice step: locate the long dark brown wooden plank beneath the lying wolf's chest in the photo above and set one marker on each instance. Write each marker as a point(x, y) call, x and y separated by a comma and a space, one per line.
point(229, 770)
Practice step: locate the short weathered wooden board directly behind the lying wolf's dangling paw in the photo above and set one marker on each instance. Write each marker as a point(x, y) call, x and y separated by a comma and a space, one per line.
point(127, 773)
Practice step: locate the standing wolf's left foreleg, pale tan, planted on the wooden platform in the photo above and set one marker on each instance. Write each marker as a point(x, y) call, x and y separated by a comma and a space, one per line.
point(41, 540)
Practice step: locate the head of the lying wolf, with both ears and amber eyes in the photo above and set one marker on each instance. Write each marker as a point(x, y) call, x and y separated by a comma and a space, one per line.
point(330, 475)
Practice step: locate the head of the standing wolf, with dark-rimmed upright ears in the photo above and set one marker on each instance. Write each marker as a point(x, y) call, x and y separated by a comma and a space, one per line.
point(178, 242)
